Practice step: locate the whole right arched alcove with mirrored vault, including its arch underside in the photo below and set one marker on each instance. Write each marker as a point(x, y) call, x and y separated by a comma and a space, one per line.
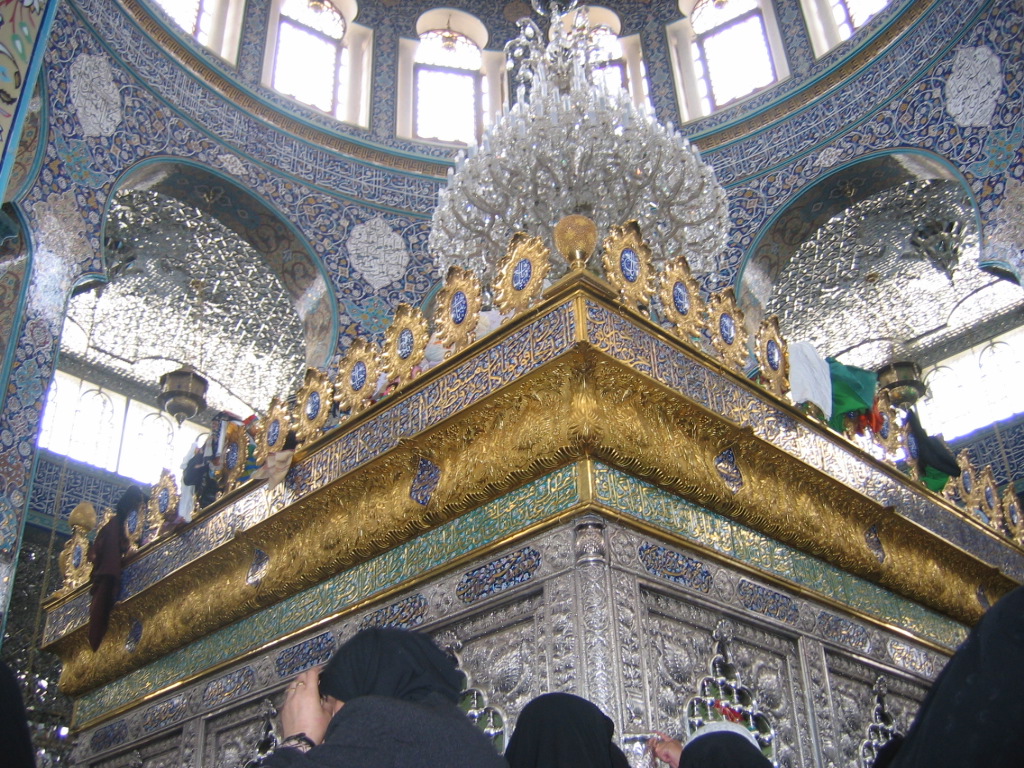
point(879, 262)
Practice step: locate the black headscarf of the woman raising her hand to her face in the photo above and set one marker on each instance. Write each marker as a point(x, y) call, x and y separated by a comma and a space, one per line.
point(392, 663)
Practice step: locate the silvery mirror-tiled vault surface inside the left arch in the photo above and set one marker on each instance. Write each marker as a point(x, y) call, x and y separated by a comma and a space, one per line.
point(185, 289)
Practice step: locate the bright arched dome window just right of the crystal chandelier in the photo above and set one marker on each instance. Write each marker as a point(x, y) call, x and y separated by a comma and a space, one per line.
point(710, 72)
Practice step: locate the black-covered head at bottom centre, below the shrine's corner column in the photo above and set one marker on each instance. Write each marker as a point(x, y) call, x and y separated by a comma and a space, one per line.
point(560, 731)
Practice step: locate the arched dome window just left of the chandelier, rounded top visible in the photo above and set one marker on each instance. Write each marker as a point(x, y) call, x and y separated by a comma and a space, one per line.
point(450, 88)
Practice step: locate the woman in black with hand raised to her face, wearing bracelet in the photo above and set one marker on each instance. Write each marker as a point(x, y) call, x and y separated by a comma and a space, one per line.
point(387, 700)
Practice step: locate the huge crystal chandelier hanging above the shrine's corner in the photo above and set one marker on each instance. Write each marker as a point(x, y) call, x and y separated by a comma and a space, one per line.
point(571, 147)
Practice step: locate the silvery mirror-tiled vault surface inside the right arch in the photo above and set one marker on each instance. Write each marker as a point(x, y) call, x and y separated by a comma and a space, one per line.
point(894, 276)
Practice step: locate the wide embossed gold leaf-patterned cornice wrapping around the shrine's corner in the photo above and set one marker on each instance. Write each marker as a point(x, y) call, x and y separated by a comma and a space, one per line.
point(581, 405)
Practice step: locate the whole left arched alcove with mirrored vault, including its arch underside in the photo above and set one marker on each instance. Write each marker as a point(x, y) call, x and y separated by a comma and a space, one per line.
point(200, 272)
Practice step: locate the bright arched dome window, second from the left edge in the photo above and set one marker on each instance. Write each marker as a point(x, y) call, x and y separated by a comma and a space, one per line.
point(318, 56)
